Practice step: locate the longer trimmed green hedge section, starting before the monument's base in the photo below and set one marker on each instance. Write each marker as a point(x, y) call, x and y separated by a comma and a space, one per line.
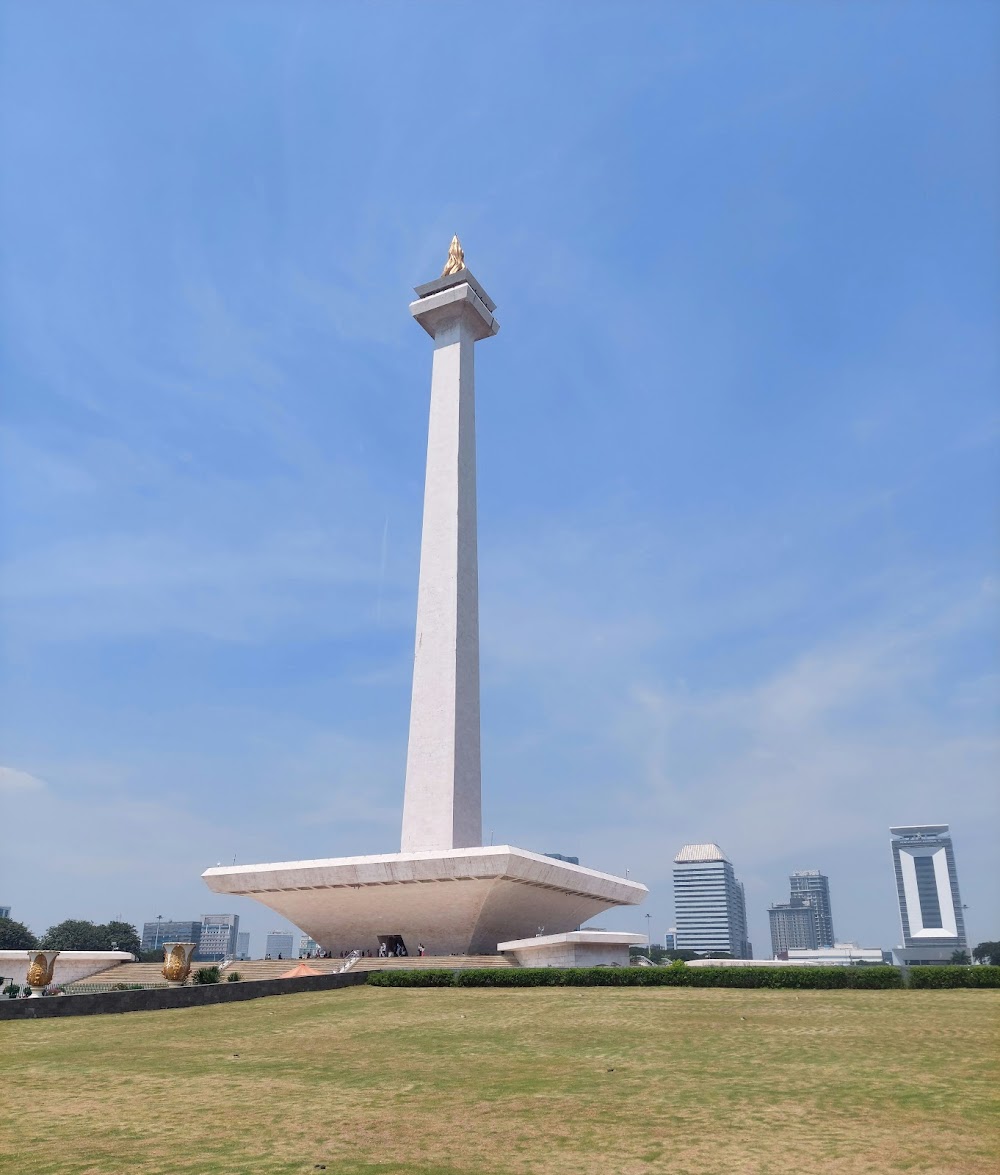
point(648, 977)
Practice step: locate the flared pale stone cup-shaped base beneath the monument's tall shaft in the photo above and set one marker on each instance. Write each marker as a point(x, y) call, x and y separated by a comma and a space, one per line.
point(459, 902)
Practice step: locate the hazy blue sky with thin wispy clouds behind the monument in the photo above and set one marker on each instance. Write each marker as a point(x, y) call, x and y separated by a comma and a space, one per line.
point(737, 437)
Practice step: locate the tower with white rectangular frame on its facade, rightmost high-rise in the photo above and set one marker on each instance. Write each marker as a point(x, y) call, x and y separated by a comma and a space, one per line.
point(928, 889)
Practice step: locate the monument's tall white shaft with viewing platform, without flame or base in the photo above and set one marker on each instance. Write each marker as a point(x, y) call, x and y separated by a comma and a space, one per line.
point(442, 804)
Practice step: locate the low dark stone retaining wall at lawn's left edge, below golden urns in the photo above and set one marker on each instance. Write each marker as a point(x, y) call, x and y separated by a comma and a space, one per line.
point(156, 999)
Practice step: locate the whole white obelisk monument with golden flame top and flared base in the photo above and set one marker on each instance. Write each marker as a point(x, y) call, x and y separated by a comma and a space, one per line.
point(445, 888)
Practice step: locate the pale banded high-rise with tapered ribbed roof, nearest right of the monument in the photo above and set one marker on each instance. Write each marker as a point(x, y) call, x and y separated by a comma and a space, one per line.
point(709, 904)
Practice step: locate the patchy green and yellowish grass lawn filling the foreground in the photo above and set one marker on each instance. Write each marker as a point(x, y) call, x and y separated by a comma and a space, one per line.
point(489, 1083)
